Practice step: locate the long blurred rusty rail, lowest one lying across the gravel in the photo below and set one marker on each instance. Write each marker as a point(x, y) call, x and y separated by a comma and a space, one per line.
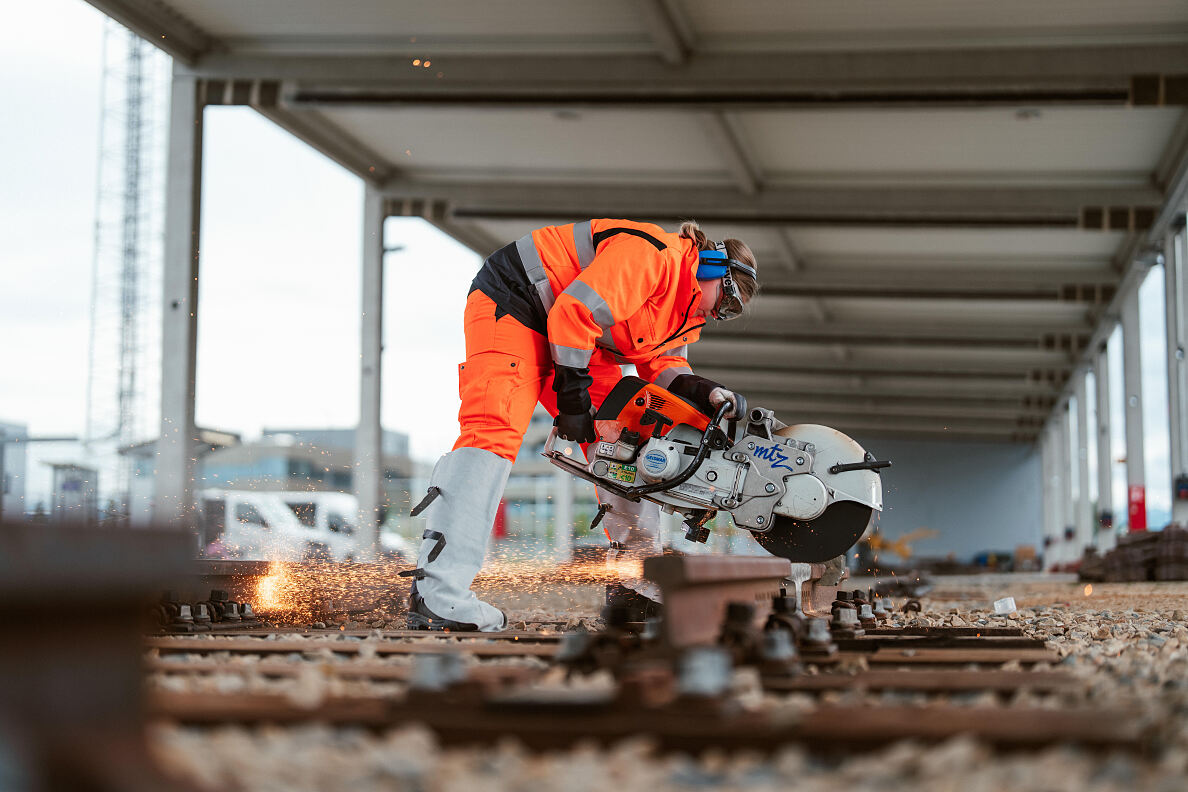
point(560, 721)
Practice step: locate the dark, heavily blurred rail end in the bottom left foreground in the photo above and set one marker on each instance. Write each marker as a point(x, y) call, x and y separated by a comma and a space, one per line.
point(72, 612)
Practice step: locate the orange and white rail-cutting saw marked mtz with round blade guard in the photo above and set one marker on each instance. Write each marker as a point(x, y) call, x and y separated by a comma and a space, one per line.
point(806, 493)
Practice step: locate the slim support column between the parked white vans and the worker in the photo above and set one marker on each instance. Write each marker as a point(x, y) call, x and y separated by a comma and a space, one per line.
point(369, 477)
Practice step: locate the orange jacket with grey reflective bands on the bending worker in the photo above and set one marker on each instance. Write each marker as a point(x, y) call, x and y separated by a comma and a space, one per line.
point(627, 287)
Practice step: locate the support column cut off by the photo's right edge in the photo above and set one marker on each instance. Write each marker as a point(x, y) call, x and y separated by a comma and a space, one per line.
point(1176, 258)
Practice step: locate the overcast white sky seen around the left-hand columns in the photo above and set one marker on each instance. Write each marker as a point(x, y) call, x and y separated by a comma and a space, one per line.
point(279, 339)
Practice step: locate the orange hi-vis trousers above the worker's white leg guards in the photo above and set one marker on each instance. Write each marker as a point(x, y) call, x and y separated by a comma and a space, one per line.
point(508, 370)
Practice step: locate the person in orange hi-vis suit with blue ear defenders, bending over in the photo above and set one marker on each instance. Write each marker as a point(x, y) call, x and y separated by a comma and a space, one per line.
point(552, 319)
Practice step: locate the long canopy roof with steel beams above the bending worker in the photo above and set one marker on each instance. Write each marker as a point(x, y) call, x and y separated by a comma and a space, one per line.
point(945, 195)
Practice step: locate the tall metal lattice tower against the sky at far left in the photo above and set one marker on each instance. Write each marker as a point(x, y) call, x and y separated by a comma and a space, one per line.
point(124, 345)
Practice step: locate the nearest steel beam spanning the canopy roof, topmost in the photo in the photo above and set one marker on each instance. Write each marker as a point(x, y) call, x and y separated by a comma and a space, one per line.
point(1040, 75)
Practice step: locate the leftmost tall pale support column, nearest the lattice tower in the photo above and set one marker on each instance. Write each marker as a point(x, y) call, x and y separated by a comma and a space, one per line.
point(174, 503)
